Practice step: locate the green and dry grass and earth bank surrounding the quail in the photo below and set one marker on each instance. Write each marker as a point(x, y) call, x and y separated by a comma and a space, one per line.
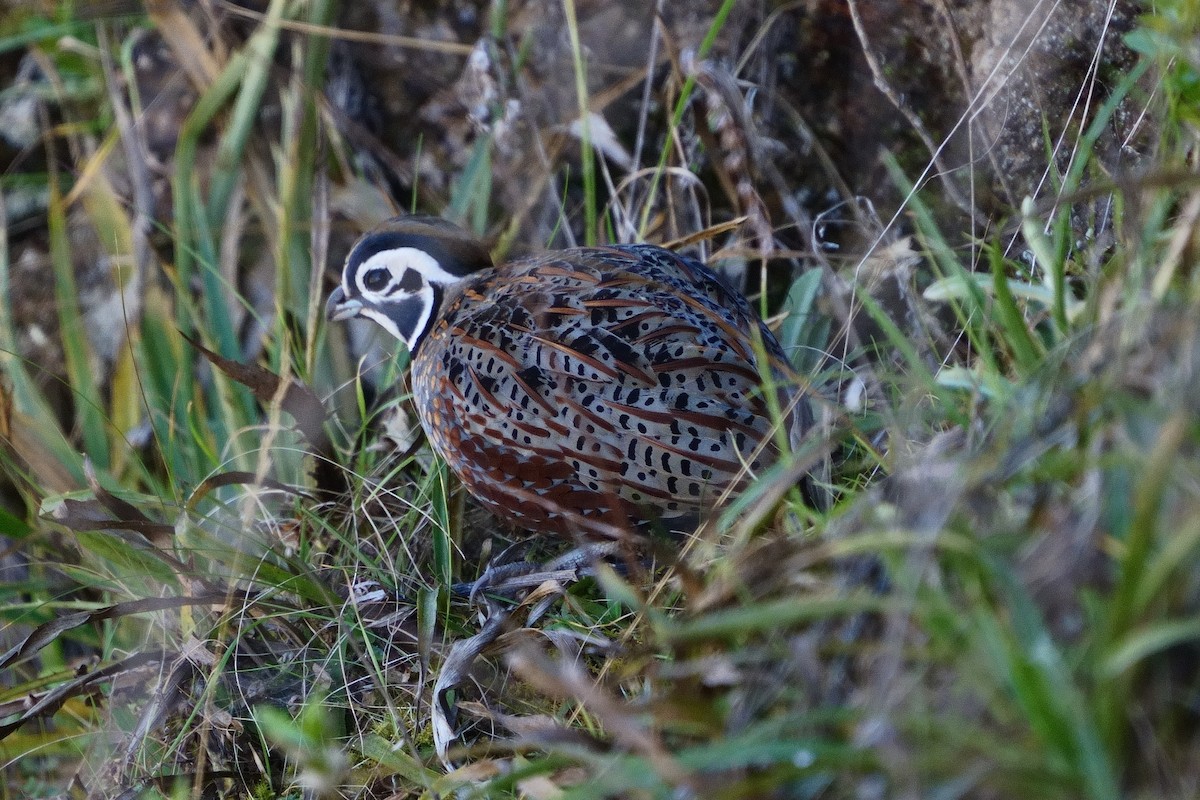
point(230, 562)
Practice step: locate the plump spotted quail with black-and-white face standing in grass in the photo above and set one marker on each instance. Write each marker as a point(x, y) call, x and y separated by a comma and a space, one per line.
point(579, 392)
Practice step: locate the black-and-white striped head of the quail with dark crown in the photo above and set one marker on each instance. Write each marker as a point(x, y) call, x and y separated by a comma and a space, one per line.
point(398, 275)
